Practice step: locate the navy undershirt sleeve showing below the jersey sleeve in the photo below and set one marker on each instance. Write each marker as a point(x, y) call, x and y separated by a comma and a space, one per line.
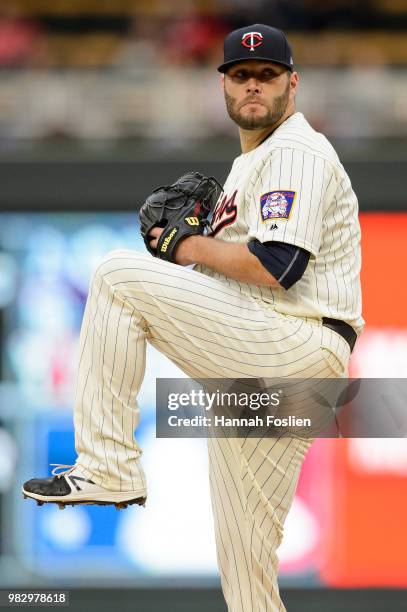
point(286, 262)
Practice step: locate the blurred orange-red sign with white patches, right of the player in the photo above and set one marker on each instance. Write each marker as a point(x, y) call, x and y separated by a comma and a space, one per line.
point(356, 489)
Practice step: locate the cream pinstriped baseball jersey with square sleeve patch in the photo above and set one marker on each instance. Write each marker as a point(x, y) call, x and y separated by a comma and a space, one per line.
point(292, 188)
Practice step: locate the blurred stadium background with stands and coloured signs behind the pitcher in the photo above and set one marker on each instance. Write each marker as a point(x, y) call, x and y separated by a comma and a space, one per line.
point(100, 102)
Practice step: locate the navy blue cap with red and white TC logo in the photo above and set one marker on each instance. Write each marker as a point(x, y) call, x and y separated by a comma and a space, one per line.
point(258, 41)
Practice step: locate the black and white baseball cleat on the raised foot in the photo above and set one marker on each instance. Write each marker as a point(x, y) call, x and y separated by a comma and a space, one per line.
point(71, 487)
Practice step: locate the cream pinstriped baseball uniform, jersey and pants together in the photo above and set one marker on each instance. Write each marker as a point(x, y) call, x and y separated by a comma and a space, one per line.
point(291, 188)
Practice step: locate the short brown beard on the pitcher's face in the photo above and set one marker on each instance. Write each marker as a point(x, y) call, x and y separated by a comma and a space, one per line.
point(253, 121)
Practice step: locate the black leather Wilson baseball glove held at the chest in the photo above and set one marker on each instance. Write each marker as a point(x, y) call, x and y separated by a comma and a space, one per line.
point(182, 209)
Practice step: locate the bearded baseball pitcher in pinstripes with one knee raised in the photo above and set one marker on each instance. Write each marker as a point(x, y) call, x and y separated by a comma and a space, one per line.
point(274, 292)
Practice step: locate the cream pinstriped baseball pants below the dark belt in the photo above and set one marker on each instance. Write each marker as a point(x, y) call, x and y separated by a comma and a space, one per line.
point(208, 330)
